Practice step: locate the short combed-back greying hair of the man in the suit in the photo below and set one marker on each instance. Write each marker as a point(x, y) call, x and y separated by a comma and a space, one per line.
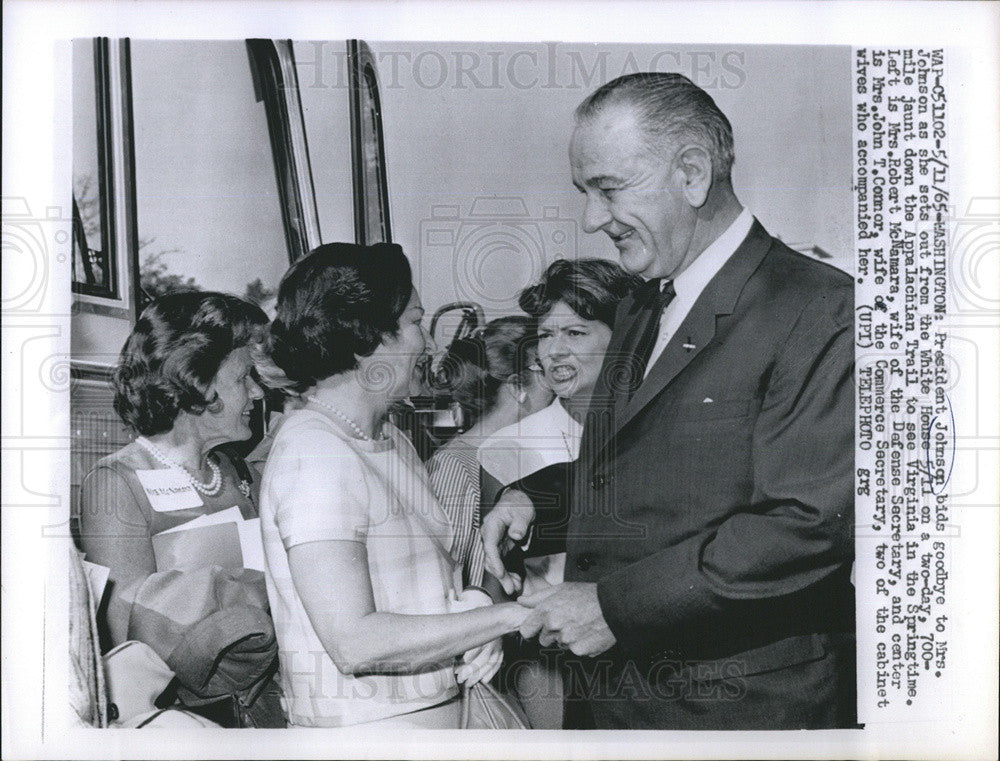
point(672, 110)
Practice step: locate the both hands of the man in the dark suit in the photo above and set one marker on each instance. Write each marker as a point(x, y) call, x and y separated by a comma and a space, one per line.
point(568, 614)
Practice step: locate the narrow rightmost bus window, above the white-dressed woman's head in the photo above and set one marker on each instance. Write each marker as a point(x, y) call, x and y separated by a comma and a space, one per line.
point(371, 199)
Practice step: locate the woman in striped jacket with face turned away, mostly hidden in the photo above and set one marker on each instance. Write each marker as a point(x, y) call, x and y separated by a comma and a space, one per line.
point(490, 376)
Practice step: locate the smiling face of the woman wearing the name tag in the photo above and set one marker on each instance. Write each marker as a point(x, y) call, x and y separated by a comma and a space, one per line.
point(228, 419)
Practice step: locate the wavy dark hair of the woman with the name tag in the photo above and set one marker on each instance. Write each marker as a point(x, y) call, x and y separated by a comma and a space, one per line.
point(174, 352)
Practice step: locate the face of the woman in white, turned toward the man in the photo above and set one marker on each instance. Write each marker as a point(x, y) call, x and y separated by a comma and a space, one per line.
point(392, 368)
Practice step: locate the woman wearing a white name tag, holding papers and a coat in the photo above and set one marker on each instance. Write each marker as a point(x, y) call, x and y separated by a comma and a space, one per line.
point(184, 385)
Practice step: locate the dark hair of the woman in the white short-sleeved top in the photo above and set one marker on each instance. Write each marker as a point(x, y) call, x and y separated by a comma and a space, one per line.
point(334, 305)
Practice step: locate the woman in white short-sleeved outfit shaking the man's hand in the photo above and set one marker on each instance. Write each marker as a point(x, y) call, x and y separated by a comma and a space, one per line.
point(361, 582)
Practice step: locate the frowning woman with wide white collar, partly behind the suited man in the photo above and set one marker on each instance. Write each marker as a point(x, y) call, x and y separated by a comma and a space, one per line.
point(574, 303)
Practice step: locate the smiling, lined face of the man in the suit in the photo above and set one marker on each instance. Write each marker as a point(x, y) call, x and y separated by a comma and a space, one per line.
point(632, 194)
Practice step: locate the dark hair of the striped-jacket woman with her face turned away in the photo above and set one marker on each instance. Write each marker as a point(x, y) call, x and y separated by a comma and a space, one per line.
point(475, 368)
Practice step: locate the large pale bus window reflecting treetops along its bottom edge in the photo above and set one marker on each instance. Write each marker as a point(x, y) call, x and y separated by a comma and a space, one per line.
point(208, 207)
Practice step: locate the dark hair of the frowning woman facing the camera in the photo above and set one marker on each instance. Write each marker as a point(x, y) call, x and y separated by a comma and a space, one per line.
point(590, 287)
